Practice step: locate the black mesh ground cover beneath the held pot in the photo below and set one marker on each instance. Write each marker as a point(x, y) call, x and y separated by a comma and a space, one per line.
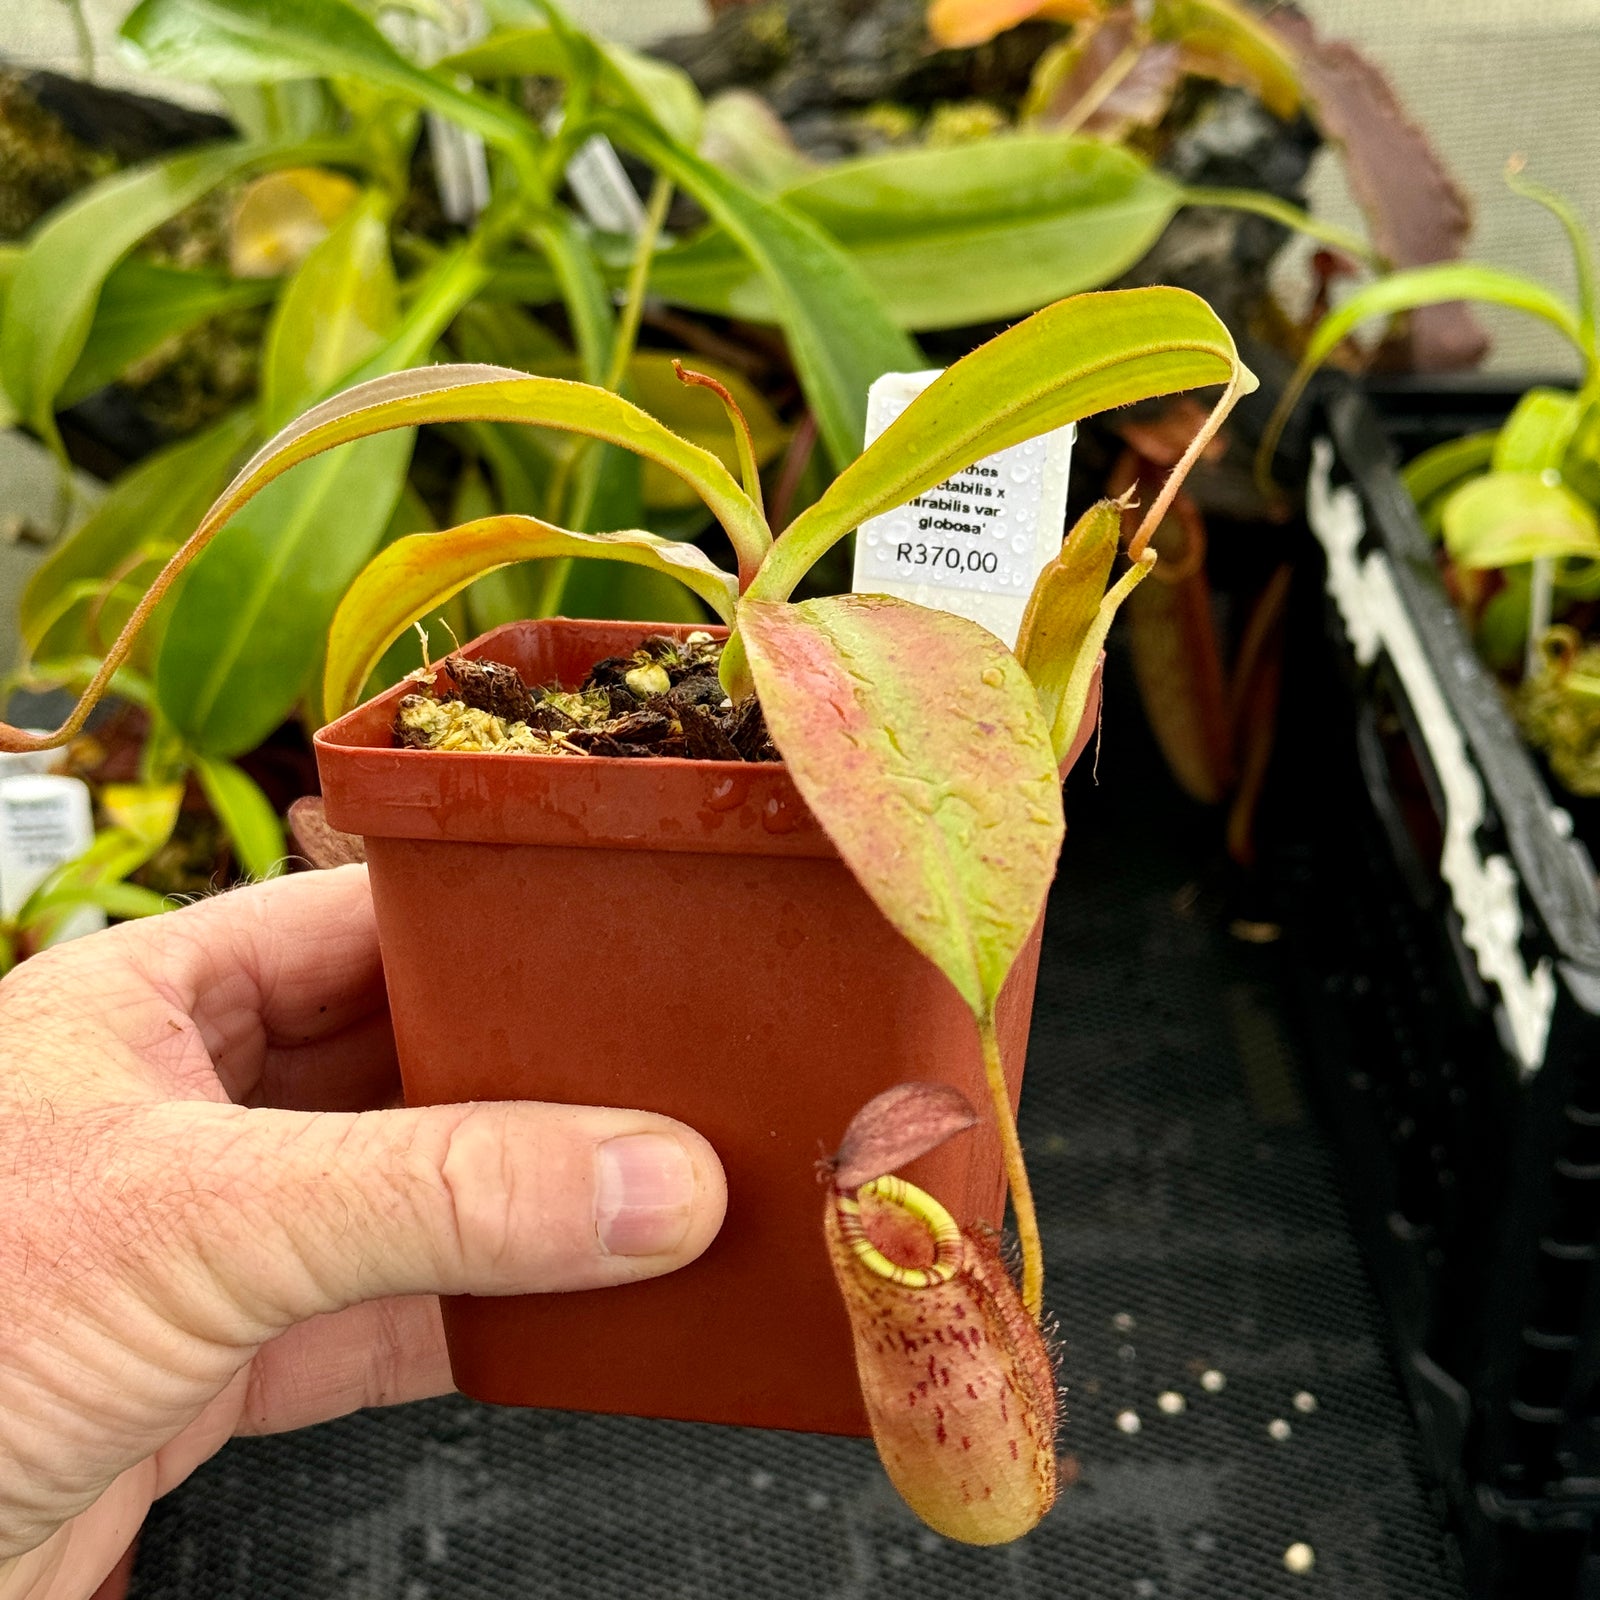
point(1191, 1225)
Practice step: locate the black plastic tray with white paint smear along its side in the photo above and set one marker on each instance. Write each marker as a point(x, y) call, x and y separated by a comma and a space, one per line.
point(1447, 927)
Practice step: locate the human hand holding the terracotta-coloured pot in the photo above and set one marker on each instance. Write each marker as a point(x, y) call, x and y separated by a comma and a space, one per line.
point(206, 1231)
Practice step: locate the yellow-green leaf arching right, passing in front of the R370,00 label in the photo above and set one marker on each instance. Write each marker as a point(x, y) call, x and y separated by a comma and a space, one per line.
point(1087, 354)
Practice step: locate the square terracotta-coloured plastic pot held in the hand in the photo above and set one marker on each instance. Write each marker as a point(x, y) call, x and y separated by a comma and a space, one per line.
point(676, 937)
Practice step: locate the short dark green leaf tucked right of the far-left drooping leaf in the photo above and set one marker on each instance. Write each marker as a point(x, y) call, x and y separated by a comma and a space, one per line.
point(143, 306)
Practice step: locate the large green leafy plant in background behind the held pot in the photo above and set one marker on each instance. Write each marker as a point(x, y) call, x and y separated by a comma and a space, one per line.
point(334, 239)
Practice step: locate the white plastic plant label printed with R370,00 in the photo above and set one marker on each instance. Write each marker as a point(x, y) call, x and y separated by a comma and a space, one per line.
point(977, 543)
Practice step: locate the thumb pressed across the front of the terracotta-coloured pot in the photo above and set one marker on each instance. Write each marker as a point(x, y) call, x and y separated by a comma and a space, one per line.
point(298, 1214)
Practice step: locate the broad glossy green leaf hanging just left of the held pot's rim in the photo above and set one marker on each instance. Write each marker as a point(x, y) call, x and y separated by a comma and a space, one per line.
point(244, 638)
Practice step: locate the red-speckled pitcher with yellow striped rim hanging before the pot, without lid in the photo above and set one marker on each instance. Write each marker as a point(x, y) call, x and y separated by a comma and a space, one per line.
point(956, 1377)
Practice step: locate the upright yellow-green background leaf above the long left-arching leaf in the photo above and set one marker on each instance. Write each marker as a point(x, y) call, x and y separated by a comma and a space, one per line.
point(340, 308)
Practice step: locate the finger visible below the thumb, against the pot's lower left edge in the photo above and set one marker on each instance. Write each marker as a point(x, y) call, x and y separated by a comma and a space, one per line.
point(383, 1353)
